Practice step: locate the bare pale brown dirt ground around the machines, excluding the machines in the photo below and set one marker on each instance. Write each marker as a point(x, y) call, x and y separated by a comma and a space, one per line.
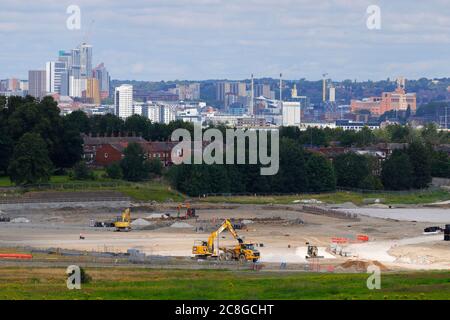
point(280, 233)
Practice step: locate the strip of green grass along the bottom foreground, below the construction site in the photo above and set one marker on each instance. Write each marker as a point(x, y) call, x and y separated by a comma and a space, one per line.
point(115, 283)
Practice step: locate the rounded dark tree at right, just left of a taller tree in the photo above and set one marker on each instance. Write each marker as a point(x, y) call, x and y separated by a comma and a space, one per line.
point(397, 172)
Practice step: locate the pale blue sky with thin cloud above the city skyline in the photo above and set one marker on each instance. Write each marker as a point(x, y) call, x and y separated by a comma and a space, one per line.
point(230, 39)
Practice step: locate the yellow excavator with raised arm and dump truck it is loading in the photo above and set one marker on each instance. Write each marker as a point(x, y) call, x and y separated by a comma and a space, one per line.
point(208, 249)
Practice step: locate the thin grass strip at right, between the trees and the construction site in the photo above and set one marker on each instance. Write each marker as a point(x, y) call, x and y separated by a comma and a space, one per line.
point(413, 197)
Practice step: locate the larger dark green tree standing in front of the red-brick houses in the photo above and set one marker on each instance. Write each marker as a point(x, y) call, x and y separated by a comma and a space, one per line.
point(134, 164)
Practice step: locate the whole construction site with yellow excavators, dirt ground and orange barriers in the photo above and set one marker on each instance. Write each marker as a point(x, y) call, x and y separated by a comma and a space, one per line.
point(107, 228)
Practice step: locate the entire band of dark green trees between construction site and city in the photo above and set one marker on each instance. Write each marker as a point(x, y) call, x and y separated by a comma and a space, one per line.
point(36, 142)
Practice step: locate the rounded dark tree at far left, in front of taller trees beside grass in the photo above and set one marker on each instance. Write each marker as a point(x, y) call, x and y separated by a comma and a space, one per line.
point(30, 162)
